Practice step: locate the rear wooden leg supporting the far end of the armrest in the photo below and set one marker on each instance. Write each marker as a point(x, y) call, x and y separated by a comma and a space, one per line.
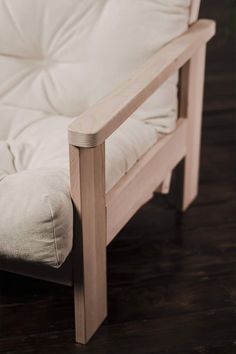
point(191, 91)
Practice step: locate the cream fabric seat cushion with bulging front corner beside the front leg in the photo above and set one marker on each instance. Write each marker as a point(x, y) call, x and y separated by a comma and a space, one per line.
point(36, 215)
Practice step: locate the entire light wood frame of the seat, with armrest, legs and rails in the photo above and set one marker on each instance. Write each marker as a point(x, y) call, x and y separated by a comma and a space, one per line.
point(99, 216)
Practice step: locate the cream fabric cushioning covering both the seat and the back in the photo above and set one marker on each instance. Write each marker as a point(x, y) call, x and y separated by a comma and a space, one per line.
point(58, 57)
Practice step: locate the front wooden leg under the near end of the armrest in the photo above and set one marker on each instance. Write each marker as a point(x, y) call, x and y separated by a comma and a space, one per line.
point(88, 193)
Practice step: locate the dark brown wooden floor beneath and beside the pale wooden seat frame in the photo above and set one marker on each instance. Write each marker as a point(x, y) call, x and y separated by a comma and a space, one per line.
point(171, 280)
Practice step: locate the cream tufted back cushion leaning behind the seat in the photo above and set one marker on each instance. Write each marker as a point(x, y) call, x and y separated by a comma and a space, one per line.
point(61, 56)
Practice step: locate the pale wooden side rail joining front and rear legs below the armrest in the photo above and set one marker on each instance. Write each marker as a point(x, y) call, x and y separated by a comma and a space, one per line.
point(137, 187)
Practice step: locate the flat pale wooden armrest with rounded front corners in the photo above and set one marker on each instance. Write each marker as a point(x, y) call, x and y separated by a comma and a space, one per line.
point(93, 126)
